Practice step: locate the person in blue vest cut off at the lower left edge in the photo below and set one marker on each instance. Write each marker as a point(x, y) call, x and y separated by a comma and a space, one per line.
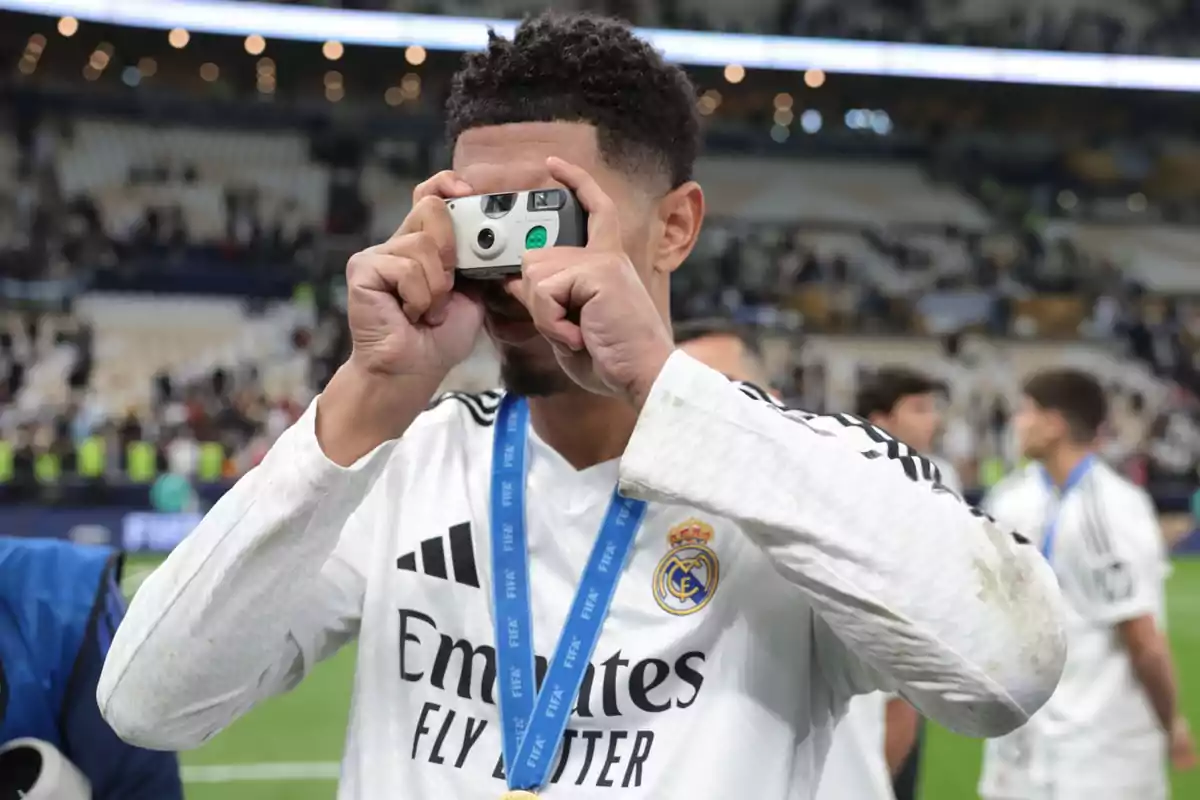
point(59, 606)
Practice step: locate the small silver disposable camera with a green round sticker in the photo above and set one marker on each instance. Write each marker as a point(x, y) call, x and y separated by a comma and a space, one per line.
point(493, 232)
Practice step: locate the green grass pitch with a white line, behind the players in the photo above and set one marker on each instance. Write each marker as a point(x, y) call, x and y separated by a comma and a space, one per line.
point(289, 748)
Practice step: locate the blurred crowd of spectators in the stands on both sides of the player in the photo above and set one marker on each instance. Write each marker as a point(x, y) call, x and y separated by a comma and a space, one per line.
point(802, 276)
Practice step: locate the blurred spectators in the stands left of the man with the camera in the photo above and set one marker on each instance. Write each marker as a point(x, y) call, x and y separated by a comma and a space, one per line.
point(52, 245)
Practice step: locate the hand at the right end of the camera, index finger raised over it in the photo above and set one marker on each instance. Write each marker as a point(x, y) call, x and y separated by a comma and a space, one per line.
point(591, 304)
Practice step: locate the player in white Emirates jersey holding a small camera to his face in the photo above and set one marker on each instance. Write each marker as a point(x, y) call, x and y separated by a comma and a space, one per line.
point(692, 635)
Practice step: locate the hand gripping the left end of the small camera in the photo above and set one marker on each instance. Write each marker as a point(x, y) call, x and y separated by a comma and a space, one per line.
point(405, 317)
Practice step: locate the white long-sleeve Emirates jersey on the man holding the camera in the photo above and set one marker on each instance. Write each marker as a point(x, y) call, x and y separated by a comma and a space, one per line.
point(823, 561)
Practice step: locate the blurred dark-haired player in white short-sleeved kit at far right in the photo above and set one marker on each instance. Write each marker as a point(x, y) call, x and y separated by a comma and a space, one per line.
point(1113, 725)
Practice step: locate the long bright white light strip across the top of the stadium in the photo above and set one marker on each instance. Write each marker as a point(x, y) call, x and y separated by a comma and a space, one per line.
point(695, 49)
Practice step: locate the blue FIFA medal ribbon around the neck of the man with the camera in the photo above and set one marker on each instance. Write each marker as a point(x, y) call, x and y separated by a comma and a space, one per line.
point(533, 724)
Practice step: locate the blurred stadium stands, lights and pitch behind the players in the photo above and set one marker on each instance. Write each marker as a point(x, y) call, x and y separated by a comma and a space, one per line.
point(178, 202)
